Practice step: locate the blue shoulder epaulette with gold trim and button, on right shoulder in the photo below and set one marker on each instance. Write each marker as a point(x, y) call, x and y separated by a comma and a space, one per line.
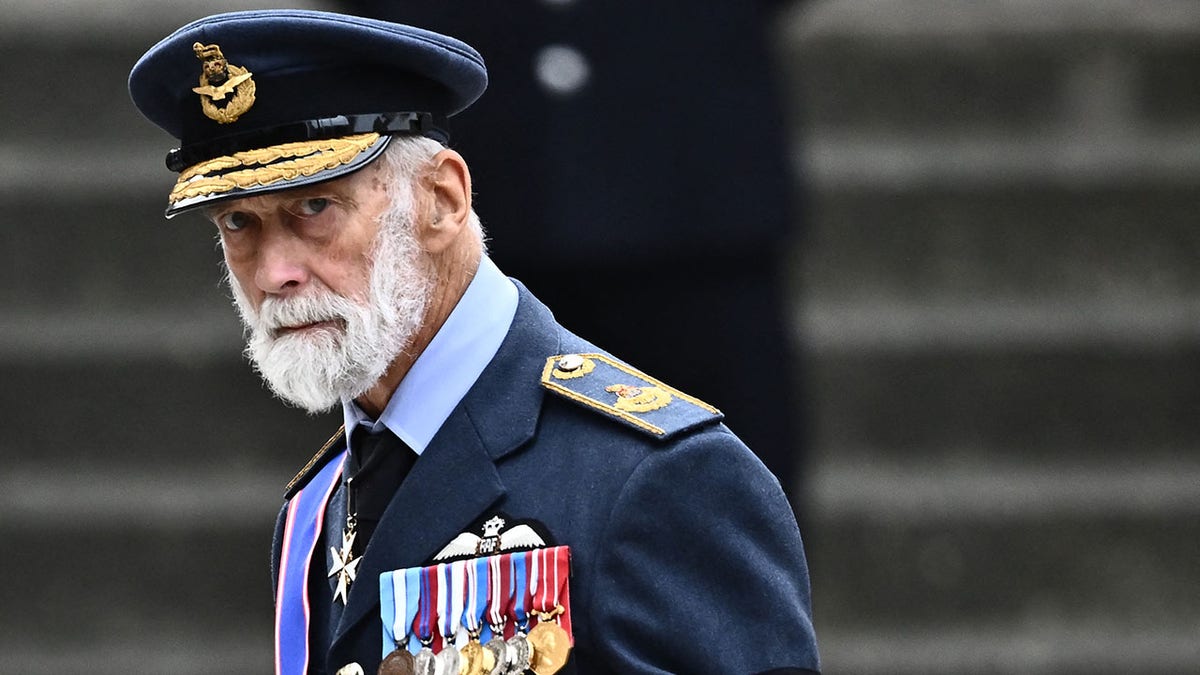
point(603, 384)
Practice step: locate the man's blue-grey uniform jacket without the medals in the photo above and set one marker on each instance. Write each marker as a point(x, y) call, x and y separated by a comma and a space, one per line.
point(686, 557)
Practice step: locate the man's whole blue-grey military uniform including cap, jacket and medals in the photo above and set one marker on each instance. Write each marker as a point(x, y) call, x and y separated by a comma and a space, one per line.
point(683, 553)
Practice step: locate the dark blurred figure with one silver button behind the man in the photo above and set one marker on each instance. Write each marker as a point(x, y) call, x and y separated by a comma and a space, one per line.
point(634, 165)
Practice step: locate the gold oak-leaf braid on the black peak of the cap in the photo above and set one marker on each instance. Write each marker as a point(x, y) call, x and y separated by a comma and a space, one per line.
point(310, 158)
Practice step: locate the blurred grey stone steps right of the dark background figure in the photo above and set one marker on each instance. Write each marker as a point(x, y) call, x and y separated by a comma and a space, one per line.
point(1000, 306)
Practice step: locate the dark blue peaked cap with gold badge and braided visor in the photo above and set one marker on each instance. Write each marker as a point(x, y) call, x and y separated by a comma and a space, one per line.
point(269, 100)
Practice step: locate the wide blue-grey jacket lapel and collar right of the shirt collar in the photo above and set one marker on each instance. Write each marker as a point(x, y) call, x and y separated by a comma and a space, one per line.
point(455, 481)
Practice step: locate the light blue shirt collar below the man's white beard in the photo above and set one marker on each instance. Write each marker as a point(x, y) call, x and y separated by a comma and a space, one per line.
point(449, 366)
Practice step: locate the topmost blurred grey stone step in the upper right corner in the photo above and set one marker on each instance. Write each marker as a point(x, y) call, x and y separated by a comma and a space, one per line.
point(938, 67)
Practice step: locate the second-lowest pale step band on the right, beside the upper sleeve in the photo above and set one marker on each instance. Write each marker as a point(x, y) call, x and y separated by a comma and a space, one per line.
point(853, 489)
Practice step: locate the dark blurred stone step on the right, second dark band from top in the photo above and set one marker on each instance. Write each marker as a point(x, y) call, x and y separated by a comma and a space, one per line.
point(1006, 243)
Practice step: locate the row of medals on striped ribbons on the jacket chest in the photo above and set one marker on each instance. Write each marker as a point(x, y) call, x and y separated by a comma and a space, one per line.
point(499, 616)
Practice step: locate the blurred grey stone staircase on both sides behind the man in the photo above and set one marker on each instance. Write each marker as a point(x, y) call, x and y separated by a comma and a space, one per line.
point(998, 292)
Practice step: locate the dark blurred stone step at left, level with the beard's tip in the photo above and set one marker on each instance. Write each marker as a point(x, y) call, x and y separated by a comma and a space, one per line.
point(154, 414)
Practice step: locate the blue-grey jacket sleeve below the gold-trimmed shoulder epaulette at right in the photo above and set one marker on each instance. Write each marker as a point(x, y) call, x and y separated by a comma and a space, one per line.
point(704, 570)
